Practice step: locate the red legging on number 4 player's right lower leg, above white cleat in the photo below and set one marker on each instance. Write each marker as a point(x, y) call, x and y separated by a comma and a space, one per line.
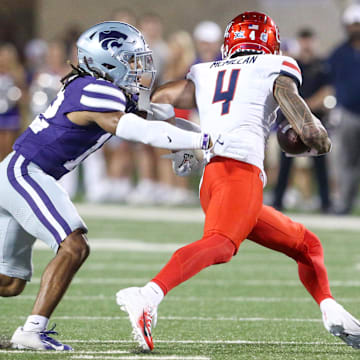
point(312, 271)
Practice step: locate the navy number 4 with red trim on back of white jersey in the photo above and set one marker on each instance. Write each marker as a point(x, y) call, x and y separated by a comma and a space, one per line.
point(228, 95)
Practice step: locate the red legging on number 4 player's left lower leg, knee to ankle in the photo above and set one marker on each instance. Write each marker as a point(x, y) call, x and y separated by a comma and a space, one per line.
point(191, 259)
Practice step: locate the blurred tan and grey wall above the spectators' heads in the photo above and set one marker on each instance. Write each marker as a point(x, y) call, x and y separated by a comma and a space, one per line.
point(23, 19)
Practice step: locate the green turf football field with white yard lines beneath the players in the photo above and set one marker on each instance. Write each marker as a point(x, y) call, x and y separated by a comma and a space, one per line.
point(251, 308)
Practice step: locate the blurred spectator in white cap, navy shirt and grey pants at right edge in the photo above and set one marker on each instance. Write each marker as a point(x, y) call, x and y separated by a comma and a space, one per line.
point(345, 72)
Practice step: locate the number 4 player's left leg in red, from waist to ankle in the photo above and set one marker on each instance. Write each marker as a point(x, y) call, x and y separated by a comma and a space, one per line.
point(231, 197)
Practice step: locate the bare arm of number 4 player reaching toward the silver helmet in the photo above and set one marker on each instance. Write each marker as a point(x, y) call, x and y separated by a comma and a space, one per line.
point(180, 94)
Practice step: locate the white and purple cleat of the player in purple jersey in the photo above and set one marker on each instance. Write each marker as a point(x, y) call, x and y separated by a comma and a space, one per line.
point(35, 340)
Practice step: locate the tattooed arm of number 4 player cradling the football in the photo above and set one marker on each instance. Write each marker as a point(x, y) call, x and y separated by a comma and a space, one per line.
point(296, 111)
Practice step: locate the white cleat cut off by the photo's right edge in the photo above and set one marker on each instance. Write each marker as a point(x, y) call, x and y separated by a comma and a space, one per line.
point(341, 323)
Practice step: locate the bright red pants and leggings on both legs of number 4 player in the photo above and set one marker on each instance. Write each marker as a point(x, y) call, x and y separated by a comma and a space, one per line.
point(231, 199)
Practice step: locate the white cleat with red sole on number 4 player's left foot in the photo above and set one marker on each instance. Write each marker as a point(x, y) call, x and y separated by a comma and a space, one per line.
point(142, 315)
